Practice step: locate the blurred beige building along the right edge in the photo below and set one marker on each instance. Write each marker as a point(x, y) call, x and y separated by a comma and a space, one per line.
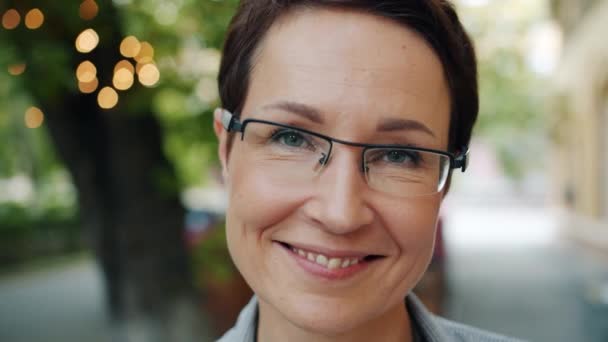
point(579, 117)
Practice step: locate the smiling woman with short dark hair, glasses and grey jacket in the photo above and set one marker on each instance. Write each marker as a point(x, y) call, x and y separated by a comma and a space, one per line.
point(341, 124)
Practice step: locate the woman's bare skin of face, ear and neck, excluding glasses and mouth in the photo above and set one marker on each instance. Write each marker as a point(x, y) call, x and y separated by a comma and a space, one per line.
point(361, 74)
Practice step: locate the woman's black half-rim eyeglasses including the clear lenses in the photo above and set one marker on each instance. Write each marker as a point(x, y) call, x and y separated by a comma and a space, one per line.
point(291, 156)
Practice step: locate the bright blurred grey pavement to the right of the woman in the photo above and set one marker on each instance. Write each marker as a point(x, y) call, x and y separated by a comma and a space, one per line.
point(510, 270)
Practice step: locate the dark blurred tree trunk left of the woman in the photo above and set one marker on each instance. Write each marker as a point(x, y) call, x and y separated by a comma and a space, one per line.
point(127, 189)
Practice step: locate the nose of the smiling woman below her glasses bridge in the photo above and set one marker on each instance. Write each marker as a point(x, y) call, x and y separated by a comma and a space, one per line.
point(340, 204)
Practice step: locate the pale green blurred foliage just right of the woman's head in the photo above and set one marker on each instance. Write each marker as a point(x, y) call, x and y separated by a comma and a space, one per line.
point(511, 116)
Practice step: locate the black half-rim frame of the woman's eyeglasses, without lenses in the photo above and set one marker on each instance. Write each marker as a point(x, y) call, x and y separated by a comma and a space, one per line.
point(232, 124)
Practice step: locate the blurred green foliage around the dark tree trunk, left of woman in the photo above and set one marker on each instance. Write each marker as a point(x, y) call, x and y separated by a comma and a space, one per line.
point(186, 36)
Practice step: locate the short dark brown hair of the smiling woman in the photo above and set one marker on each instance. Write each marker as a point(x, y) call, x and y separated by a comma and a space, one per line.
point(435, 20)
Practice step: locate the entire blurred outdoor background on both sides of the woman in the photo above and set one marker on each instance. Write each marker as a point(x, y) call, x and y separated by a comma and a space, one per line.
point(111, 202)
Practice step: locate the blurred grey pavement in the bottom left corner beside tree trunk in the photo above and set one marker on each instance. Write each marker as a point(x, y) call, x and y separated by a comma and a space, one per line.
point(61, 303)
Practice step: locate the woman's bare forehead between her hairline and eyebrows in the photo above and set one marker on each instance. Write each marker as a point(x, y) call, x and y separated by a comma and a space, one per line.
point(356, 68)
